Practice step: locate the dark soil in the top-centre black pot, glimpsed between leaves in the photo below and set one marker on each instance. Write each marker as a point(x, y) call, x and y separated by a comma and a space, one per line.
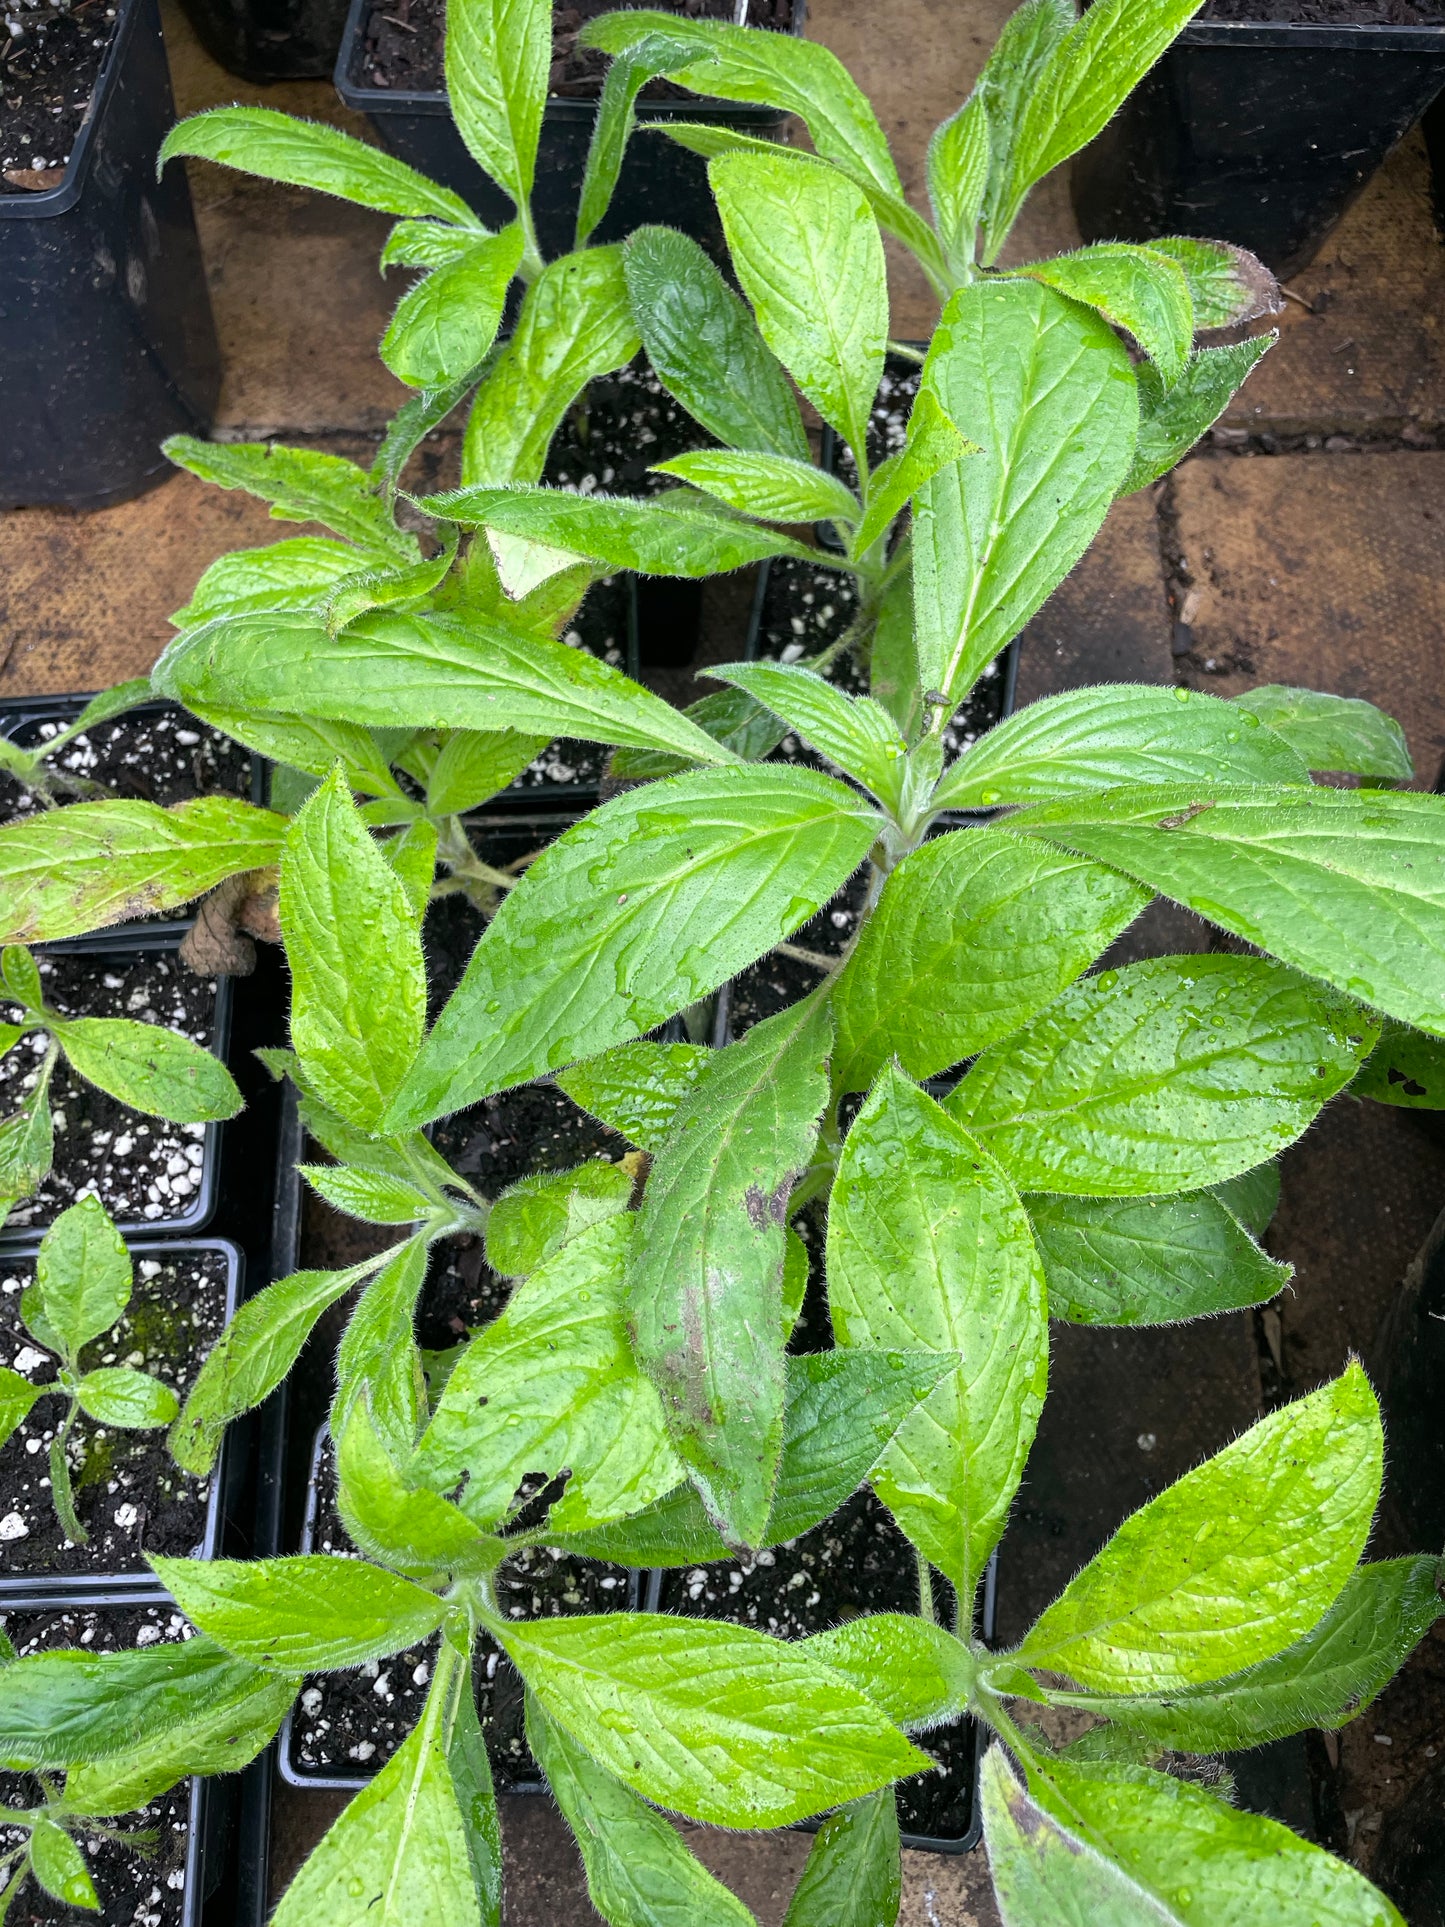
point(404, 43)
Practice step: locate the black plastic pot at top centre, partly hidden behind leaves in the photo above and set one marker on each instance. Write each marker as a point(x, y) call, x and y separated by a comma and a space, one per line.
point(660, 182)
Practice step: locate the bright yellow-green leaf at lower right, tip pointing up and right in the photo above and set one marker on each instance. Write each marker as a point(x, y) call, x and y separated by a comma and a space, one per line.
point(1234, 1562)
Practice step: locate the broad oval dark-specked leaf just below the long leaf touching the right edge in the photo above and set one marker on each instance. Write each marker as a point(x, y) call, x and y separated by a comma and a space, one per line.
point(1165, 1076)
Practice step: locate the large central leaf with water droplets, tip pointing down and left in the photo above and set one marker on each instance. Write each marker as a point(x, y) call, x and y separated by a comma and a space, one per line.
point(725, 864)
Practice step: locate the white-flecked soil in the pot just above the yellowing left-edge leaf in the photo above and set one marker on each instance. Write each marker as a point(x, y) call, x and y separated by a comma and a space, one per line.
point(163, 758)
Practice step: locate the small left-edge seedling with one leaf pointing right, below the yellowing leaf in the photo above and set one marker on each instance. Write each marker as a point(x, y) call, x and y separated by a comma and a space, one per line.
point(144, 1065)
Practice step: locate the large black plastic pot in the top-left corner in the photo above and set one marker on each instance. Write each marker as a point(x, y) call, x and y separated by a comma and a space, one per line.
point(105, 321)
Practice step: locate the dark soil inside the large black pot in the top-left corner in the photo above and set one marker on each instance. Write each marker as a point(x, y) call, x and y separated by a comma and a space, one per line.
point(49, 66)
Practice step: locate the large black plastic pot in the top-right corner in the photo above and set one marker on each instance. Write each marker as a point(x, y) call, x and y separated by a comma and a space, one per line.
point(1257, 134)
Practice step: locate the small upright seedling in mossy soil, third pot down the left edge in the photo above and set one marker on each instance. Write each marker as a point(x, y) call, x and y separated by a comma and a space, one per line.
point(80, 1292)
